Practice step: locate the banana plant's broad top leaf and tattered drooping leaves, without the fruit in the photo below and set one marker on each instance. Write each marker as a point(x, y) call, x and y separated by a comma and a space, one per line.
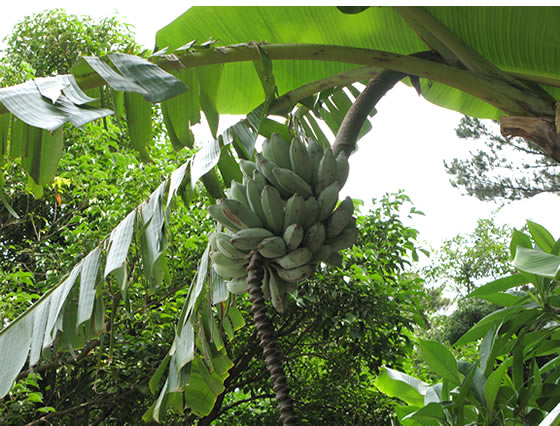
point(459, 58)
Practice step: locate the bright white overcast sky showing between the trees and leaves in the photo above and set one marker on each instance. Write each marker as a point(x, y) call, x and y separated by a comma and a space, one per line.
point(405, 149)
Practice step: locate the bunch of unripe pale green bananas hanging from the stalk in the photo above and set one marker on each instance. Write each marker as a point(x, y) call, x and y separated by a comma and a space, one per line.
point(284, 209)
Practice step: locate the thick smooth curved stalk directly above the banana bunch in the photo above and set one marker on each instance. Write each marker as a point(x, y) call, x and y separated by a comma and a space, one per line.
point(358, 113)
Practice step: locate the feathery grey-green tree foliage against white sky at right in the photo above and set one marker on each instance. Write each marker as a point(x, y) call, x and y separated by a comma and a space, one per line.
point(504, 168)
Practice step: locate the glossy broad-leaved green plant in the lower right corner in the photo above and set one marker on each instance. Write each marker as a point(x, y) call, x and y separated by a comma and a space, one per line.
point(516, 378)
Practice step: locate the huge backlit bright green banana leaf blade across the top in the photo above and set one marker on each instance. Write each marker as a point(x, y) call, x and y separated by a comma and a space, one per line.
point(520, 40)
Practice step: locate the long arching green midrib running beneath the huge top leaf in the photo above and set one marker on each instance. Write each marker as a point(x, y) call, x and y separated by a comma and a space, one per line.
point(485, 88)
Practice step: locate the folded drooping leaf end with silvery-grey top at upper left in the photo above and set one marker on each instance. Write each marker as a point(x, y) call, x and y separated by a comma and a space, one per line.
point(41, 107)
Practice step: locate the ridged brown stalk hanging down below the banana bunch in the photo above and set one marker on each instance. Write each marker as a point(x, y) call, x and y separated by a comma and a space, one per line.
point(267, 338)
